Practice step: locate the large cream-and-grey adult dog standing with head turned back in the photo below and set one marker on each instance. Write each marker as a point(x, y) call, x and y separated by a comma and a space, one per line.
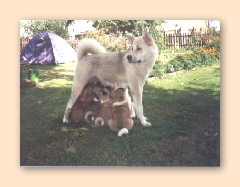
point(124, 69)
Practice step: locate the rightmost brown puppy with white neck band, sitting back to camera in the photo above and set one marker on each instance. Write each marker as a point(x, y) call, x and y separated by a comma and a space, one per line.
point(121, 121)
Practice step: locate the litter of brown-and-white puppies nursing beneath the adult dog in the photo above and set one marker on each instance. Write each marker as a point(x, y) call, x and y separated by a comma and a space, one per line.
point(103, 105)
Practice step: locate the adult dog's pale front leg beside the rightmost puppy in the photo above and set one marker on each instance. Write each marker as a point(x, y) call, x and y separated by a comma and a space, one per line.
point(137, 99)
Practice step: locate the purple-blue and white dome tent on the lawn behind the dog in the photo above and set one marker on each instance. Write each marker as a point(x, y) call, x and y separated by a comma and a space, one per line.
point(47, 48)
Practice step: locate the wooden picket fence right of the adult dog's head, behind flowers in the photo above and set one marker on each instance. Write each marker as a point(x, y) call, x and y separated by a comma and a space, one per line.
point(183, 40)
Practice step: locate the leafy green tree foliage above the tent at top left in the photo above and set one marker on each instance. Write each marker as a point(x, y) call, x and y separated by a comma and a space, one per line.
point(58, 27)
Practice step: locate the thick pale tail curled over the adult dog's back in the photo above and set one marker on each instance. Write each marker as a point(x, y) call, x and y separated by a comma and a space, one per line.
point(88, 45)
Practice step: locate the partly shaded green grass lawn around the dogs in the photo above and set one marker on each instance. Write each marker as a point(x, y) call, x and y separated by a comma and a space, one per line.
point(184, 111)
